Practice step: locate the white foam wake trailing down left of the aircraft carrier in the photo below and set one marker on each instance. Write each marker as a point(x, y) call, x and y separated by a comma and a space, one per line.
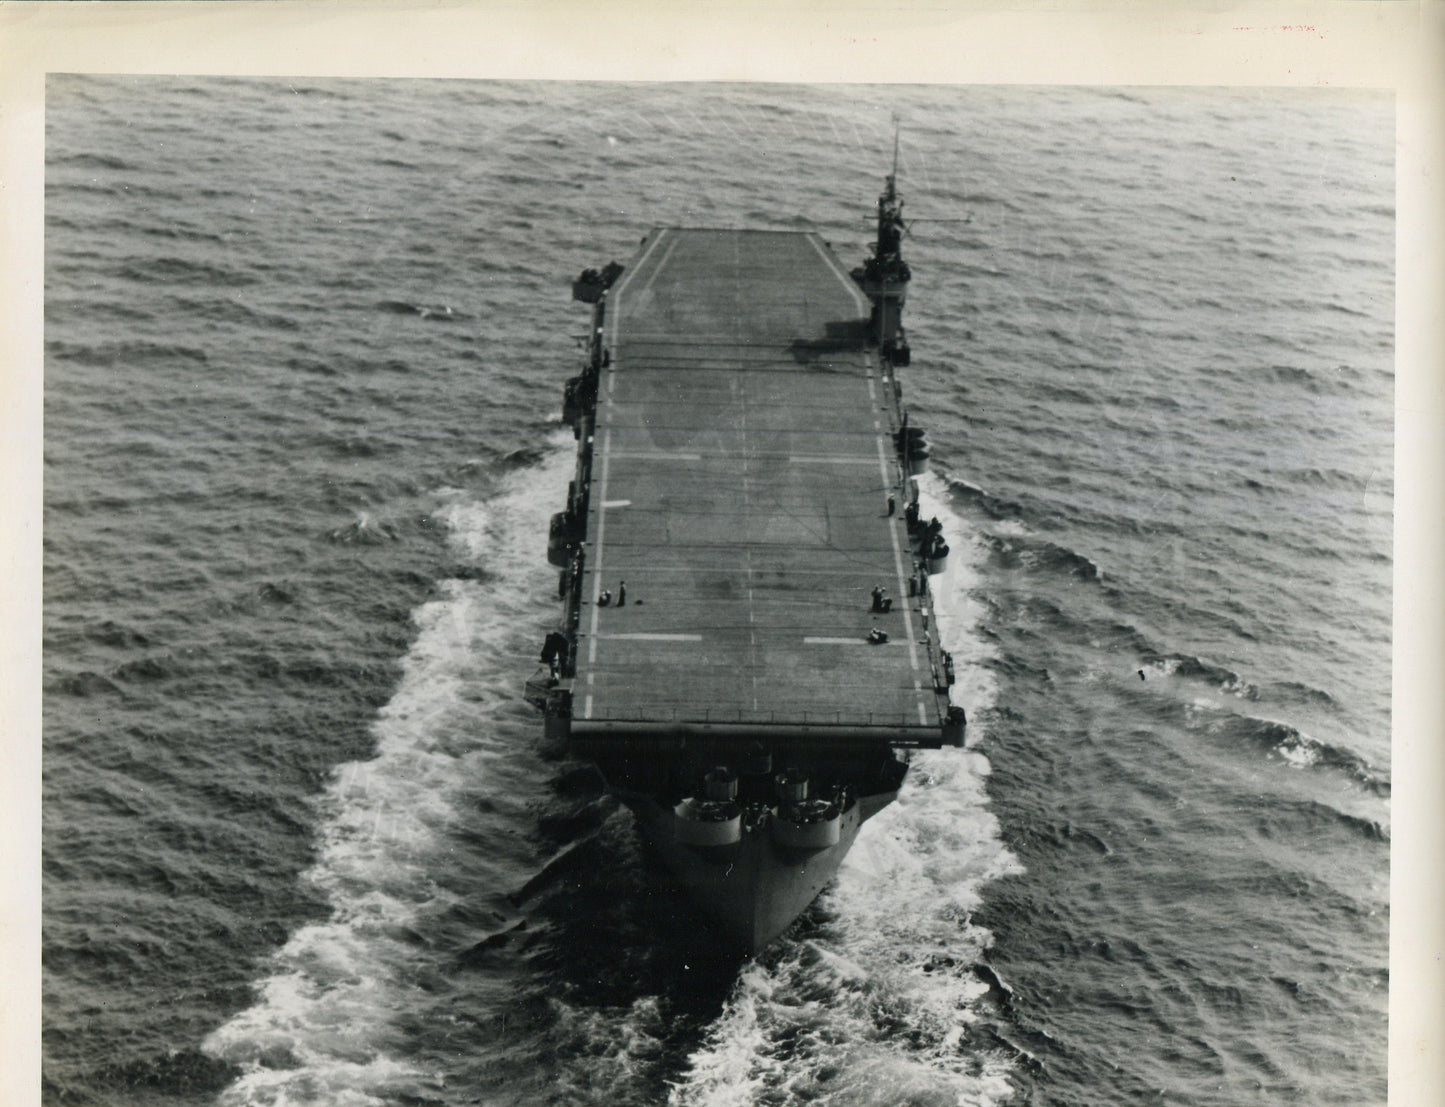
point(323, 1030)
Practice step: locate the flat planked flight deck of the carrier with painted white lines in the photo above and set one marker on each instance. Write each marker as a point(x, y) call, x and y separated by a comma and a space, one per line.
point(742, 466)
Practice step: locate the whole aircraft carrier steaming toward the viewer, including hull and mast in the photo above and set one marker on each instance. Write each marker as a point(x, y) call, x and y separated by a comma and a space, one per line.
point(748, 641)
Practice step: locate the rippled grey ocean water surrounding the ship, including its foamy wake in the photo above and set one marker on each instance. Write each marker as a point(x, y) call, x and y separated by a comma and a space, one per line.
point(303, 840)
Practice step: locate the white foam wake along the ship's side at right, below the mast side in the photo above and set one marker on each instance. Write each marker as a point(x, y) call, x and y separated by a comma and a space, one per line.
point(878, 1011)
